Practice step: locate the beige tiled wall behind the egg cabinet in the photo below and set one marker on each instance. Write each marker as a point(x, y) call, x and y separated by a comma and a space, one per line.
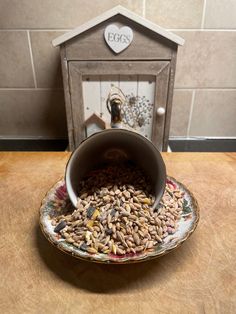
point(31, 94)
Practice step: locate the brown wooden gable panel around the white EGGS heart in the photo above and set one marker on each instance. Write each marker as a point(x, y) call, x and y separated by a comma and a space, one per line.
point(146, 45)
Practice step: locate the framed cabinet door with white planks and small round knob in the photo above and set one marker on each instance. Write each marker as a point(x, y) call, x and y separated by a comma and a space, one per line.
point(144, 85)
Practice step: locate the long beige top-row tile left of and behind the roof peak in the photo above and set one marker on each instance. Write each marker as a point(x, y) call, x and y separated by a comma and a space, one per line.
point(57, 14)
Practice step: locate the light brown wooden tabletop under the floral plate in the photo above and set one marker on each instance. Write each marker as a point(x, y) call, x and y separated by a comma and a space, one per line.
point(199, 277)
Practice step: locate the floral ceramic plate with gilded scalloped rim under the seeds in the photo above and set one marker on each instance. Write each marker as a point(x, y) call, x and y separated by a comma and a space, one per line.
point(57, 201)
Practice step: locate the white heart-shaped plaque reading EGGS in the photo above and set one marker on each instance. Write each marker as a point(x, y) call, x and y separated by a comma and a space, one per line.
point(118, 39)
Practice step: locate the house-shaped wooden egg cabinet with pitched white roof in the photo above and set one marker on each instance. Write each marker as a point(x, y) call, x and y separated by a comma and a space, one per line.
point(123, 50)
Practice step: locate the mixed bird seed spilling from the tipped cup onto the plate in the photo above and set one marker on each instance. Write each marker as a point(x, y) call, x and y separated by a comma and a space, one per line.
point(114, 213)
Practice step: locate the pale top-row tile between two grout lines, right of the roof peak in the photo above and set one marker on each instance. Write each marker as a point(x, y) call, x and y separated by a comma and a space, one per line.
point(175, 13)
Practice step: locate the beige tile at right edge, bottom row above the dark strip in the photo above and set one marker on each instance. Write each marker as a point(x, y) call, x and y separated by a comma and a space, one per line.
point(214, 114)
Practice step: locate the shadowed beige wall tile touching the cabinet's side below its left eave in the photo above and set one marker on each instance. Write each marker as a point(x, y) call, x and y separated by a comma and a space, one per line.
point(46, 59)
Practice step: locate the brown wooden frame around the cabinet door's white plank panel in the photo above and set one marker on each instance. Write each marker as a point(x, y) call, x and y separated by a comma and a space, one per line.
point(159, 69)
